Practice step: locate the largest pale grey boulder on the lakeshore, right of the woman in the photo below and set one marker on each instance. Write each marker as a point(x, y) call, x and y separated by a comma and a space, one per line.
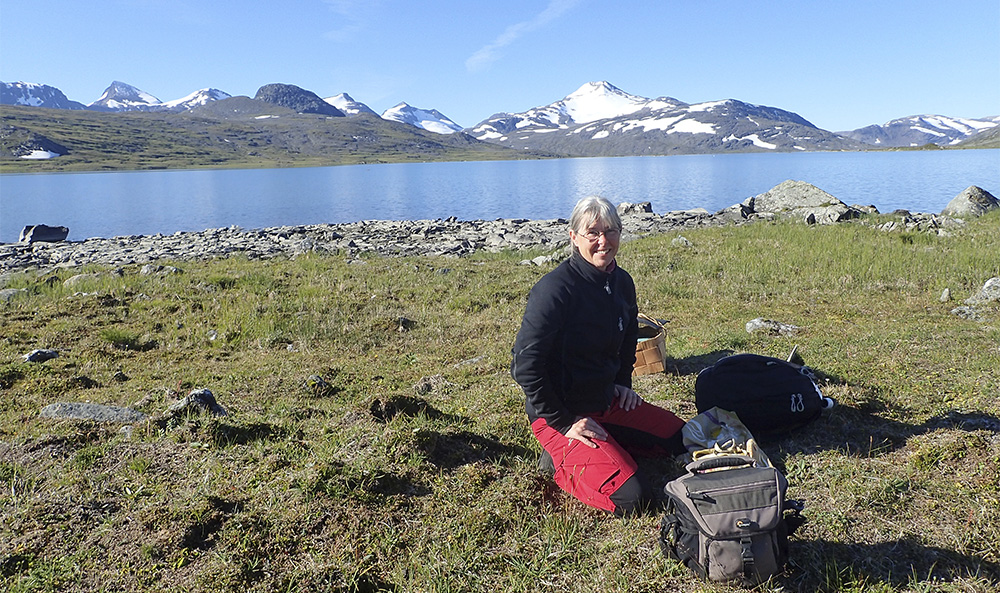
point(803, 201)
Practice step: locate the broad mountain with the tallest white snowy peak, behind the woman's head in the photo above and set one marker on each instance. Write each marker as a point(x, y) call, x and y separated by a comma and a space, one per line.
point(599, 119)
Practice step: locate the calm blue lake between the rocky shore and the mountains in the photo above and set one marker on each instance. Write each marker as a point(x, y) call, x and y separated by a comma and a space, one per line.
point(150, 202)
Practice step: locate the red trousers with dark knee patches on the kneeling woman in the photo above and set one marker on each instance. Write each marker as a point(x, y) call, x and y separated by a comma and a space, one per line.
point(594, 476)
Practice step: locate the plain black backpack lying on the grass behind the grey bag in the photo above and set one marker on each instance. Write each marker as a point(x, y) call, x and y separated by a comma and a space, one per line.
point(769, 395)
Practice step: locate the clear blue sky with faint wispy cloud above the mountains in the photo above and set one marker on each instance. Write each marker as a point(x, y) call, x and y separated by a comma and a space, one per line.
point(841, 65)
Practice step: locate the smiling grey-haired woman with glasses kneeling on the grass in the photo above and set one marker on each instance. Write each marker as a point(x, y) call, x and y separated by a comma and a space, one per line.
point(573, 357)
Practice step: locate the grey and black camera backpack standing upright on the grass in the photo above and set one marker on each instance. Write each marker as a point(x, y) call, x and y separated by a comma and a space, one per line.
point(725, 520)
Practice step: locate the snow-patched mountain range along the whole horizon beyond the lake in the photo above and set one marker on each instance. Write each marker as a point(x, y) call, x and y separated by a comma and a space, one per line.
point(597, 119)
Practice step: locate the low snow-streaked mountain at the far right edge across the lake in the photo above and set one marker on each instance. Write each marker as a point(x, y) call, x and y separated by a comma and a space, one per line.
point(918, 130)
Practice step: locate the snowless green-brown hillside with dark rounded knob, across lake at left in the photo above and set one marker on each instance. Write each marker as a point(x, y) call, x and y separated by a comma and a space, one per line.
point(235, 132)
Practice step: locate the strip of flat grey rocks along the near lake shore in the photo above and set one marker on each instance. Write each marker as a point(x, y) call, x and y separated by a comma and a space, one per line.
point(440, 237)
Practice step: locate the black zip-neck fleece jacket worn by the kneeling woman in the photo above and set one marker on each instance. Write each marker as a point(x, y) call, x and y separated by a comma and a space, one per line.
point(577, 340)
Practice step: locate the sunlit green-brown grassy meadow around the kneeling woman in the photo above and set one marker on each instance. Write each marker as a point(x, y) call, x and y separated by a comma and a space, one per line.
point(410, 466)
